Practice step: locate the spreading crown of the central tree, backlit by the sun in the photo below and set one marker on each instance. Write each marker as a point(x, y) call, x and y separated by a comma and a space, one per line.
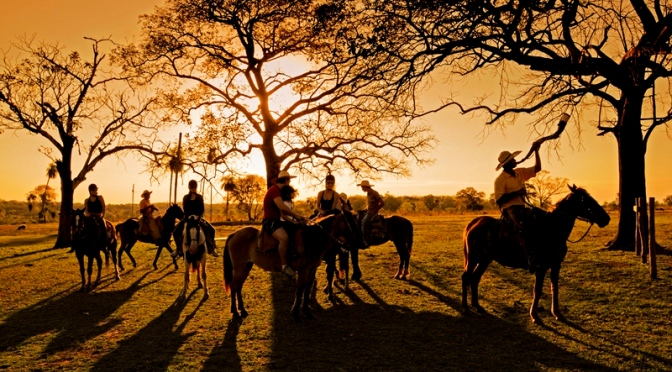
point(293, 80)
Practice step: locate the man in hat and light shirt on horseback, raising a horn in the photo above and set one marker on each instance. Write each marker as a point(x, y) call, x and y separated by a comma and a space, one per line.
point(509, 194)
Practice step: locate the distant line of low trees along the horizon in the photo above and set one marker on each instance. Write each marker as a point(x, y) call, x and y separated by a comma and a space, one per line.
point(16, 212)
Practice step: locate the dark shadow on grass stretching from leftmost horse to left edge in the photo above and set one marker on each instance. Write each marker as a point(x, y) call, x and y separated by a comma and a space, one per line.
point(75, 317)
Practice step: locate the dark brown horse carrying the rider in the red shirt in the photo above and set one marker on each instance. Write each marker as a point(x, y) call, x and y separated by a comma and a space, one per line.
point(241, 253)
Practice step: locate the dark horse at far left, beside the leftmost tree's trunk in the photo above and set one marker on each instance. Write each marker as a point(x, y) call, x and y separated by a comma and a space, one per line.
point(88, 241)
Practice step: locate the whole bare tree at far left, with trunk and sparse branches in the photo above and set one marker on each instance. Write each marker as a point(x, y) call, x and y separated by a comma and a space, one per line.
point(72, 102)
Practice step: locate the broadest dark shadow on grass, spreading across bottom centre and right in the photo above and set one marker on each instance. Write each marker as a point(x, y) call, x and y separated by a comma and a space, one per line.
point(384, 336)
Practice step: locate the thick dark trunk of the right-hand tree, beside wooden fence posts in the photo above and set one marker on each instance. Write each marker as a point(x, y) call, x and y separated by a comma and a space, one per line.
point(631, 167)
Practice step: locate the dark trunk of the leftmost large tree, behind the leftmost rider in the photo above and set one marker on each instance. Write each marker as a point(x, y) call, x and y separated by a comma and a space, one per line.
point(64, 167)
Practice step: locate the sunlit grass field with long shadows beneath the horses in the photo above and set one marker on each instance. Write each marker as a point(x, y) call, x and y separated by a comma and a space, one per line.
point(617, 318)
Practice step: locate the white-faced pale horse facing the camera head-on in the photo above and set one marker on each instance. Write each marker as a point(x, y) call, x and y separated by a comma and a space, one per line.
point(194, 251)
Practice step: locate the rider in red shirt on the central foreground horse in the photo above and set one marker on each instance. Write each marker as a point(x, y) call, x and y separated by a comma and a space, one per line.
point(273, 207)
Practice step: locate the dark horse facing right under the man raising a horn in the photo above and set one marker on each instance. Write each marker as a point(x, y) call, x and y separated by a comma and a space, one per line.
point(482, 244)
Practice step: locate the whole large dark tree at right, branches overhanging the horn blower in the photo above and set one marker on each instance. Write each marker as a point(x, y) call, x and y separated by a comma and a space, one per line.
point(573, 53)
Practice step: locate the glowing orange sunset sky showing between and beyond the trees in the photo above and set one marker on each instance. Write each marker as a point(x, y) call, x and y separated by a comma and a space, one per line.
point(463, 157)
